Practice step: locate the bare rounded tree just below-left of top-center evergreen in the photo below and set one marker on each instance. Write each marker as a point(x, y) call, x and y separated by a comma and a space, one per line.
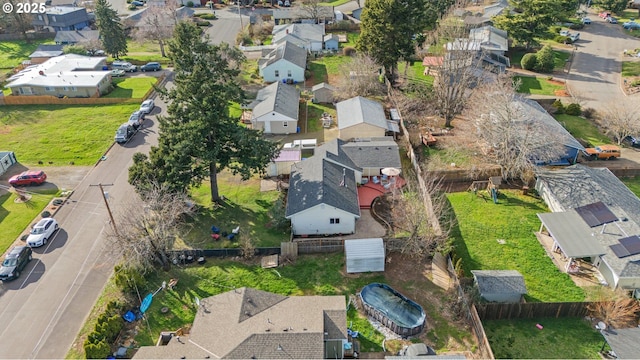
point(360, 77)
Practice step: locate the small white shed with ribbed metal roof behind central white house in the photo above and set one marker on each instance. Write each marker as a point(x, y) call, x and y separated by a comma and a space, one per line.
point(364, 255)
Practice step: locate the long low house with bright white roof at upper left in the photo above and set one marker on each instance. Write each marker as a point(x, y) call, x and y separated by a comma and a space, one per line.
point(68, 75)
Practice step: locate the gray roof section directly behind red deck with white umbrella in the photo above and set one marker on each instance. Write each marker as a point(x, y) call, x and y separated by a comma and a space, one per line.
point(375, 153)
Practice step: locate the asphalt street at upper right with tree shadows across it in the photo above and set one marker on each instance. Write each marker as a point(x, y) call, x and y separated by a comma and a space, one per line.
point(594, 76)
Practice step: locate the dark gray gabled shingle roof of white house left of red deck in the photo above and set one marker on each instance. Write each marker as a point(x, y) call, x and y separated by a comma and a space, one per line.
point(317, 181)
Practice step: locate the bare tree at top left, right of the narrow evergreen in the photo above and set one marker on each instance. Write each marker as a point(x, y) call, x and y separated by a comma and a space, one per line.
point(157, 24)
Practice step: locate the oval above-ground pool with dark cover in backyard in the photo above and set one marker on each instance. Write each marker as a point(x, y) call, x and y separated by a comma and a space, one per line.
point(392, 309)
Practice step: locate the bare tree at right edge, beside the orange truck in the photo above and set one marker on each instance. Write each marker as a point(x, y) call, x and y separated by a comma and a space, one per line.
point(621, 119)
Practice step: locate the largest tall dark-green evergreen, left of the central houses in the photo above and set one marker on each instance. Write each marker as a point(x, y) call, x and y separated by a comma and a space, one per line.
point(198, 138)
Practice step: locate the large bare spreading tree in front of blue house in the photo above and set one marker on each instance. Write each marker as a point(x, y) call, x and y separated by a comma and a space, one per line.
point(513, 131)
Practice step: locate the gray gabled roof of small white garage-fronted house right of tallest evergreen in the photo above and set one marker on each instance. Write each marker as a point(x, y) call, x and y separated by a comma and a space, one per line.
point(278, 97)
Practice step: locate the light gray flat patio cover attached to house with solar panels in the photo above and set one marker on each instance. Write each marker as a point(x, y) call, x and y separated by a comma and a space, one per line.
point(571, 235)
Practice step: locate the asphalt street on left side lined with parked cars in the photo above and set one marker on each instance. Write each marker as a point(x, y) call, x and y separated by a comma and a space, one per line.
point(44, 309)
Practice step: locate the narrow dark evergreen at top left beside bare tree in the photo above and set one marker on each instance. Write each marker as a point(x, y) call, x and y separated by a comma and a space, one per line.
point(111, 30)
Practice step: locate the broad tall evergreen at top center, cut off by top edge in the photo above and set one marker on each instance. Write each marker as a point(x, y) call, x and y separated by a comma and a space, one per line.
point(389, 26)
